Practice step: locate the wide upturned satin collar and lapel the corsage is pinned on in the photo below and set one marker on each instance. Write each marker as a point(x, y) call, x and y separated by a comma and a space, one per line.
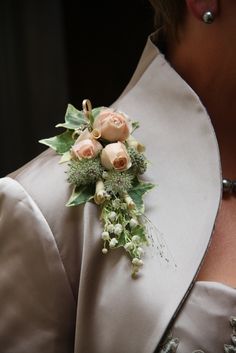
point(129, 315)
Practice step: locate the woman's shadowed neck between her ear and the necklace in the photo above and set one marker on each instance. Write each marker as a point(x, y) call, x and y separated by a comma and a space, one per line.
point(211, 73)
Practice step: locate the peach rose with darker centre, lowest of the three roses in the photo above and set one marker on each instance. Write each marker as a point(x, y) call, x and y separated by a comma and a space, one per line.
point(115, 156)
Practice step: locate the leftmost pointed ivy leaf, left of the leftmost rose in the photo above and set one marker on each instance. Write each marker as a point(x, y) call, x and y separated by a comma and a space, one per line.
point(60, 143)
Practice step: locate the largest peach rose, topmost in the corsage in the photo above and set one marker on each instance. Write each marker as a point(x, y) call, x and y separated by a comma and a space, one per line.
point(112, 125)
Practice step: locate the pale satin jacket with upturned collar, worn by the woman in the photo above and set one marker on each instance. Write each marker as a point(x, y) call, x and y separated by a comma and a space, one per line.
point(58, 292)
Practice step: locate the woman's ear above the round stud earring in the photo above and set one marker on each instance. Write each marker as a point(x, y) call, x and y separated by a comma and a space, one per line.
point(199, 7)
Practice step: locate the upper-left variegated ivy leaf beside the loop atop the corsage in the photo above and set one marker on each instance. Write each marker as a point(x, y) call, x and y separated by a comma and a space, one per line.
point(73, 118)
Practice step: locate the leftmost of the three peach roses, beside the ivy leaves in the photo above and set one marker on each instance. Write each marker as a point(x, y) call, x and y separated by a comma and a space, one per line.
point(86, 148)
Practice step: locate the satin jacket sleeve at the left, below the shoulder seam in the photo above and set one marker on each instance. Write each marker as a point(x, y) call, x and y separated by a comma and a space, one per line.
point(37, 305)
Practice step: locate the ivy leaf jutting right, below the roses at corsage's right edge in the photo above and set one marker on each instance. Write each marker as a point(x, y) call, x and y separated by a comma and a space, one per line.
point(137, 192)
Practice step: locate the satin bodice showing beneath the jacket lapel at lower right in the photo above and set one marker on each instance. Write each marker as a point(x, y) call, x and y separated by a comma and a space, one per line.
point(203, 324)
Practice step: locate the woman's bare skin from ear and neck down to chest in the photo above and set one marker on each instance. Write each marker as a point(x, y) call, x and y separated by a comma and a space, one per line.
point(205, 56)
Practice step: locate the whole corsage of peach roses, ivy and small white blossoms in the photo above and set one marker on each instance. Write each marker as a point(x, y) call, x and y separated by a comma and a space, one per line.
point(105, 163)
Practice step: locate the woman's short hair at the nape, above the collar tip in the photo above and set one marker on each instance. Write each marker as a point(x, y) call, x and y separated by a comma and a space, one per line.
point(168, 15)
